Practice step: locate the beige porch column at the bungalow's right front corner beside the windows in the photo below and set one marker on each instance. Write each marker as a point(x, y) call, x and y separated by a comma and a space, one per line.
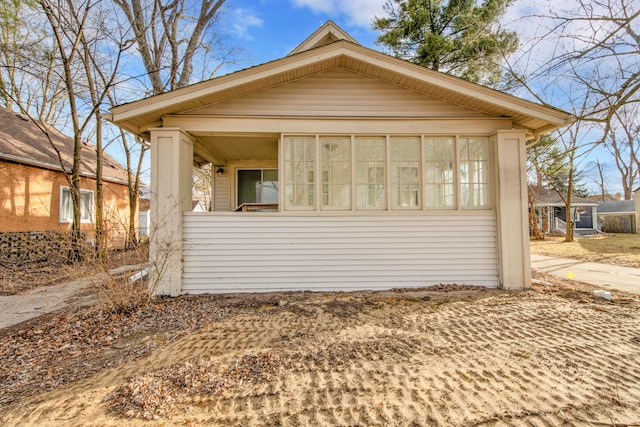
point(514, 264)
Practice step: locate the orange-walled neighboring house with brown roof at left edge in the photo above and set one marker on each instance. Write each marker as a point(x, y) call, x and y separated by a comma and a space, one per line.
point(34, 193)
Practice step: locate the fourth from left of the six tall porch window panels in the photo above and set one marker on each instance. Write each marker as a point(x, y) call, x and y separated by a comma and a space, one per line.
point(405, 163)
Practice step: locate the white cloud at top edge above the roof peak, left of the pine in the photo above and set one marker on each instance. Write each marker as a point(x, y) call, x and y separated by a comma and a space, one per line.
point(358, 12)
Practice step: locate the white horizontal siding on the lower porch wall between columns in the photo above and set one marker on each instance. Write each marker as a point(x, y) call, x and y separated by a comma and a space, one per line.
point(231, 253)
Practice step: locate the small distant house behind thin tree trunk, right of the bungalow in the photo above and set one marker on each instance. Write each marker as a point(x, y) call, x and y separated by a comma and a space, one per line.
point(551, 210)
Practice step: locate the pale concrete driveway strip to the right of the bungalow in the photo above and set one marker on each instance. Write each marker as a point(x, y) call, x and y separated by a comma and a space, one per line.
point(605, 276)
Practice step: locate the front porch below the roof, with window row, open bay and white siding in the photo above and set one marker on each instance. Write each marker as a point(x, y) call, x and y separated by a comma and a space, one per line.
point(336, 212)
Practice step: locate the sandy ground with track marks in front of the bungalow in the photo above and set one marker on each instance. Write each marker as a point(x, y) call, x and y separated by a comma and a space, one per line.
point(548, 357)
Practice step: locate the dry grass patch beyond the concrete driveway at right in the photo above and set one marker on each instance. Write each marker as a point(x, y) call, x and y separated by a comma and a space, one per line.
point(617, 249)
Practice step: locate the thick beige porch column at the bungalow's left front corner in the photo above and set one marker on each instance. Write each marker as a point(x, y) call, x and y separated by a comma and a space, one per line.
point(171, 183)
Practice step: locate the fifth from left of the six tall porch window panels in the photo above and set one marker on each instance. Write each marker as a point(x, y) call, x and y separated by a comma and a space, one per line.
point(439, 183)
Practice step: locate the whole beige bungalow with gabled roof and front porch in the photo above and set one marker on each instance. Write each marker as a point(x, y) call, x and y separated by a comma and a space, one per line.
point(339, 167)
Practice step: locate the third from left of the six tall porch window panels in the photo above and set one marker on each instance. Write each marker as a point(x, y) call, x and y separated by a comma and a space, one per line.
point(370, 176)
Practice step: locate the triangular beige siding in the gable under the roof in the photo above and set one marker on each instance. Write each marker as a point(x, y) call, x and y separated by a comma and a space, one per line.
point(337, 93)
